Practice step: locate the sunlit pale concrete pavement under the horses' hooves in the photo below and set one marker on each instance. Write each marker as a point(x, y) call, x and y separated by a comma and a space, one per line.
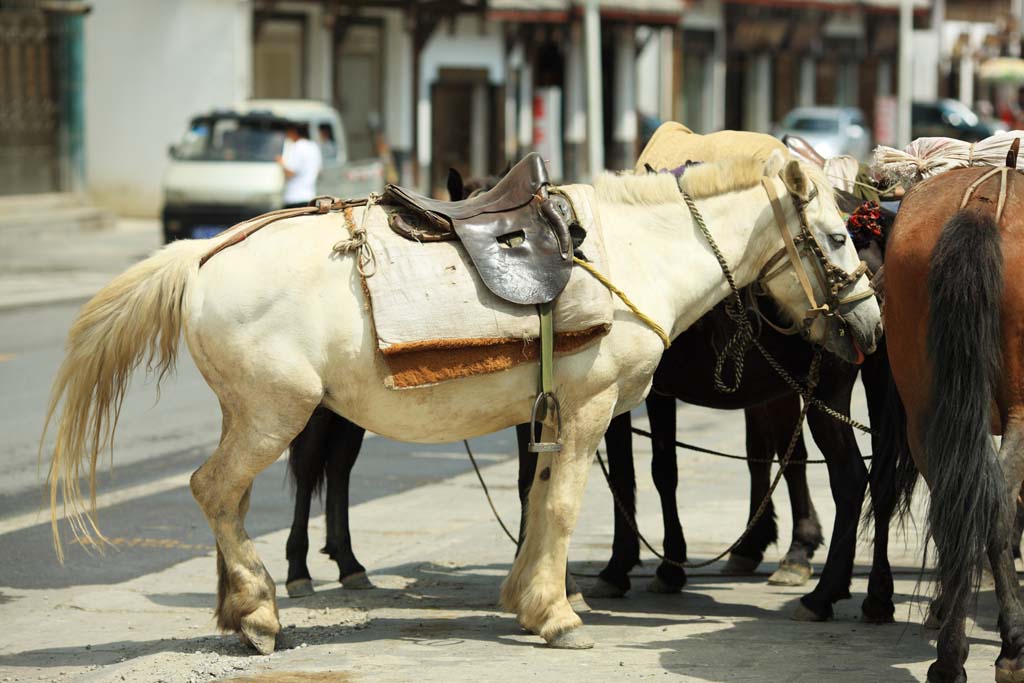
point(439, 559)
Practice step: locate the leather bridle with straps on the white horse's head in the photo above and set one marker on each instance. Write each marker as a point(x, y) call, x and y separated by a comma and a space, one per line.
point(834, 280)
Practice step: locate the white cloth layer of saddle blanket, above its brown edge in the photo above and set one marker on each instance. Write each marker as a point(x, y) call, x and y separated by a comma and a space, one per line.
point(430, 296)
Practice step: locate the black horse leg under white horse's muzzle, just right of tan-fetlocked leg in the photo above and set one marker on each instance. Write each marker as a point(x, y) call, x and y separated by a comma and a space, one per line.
point(848, 480)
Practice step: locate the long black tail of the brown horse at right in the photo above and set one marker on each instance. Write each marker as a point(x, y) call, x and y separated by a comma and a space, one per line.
point(969, 495)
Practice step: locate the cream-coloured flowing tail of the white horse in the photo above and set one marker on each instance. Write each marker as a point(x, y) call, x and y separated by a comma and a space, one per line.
point(137, 318)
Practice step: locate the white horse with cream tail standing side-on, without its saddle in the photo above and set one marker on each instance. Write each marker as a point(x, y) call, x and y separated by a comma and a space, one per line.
point(279, 325)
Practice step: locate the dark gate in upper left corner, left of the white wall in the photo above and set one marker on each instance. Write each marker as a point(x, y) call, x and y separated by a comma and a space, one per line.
point(40, 97)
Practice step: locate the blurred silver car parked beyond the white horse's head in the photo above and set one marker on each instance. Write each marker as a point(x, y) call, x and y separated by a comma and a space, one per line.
point(831, 131)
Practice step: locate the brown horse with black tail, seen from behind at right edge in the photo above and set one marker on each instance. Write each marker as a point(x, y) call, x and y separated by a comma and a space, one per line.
point(955, 325)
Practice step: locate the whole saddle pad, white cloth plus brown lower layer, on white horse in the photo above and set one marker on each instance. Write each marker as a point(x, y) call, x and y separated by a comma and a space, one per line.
point(436, 321)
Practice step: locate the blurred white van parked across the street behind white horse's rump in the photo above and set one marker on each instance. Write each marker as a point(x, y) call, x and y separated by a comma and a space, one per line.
point(224, 170)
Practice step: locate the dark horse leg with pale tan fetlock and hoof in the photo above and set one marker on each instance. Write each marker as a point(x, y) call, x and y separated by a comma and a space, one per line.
point(795, 570)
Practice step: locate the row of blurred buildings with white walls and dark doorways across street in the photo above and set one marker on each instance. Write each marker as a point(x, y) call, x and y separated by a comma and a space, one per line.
point(475, 84)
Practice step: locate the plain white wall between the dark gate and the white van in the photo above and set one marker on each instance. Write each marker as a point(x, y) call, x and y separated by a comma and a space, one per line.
point(150, 65)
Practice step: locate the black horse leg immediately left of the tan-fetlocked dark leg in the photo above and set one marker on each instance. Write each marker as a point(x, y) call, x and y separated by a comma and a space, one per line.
point(744, 561)
